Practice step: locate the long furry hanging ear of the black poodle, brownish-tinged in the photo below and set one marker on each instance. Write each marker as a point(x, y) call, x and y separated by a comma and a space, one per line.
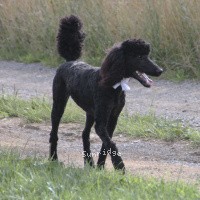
point(113, 67)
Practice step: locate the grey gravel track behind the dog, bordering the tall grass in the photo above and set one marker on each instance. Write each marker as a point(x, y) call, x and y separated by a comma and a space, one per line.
point(166, 99)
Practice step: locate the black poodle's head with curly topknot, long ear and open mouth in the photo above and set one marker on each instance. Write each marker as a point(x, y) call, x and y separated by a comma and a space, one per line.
point(129, 59)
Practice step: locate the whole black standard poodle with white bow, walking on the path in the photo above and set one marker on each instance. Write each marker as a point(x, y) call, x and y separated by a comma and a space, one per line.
point(100, 92)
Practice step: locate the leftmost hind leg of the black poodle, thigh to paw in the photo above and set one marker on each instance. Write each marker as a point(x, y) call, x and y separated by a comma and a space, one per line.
point(60, 98)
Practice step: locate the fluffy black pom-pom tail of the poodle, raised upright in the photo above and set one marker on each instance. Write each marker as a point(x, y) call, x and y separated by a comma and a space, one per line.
point(70, 38)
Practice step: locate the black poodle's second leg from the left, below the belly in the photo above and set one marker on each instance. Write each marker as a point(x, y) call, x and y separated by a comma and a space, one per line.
point(86, 140)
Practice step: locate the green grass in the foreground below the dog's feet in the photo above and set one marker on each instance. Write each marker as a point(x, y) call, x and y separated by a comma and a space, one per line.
point(33, 178)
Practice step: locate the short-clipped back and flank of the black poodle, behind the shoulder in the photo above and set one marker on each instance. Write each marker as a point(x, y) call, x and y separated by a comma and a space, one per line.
point(80, 80)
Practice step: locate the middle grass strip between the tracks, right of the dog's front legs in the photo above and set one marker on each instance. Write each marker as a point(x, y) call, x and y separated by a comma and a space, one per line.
point(150, 126)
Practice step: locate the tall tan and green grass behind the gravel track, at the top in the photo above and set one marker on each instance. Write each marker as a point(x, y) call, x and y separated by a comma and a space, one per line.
point(28, 30)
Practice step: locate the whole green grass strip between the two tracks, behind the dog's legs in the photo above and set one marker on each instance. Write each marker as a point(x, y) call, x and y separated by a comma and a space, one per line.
point(143, 126)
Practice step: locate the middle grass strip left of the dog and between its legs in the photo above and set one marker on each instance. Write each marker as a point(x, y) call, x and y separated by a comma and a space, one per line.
point(36, 110)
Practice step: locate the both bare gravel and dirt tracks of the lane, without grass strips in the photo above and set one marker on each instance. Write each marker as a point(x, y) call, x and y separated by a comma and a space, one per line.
point(153, 158)
